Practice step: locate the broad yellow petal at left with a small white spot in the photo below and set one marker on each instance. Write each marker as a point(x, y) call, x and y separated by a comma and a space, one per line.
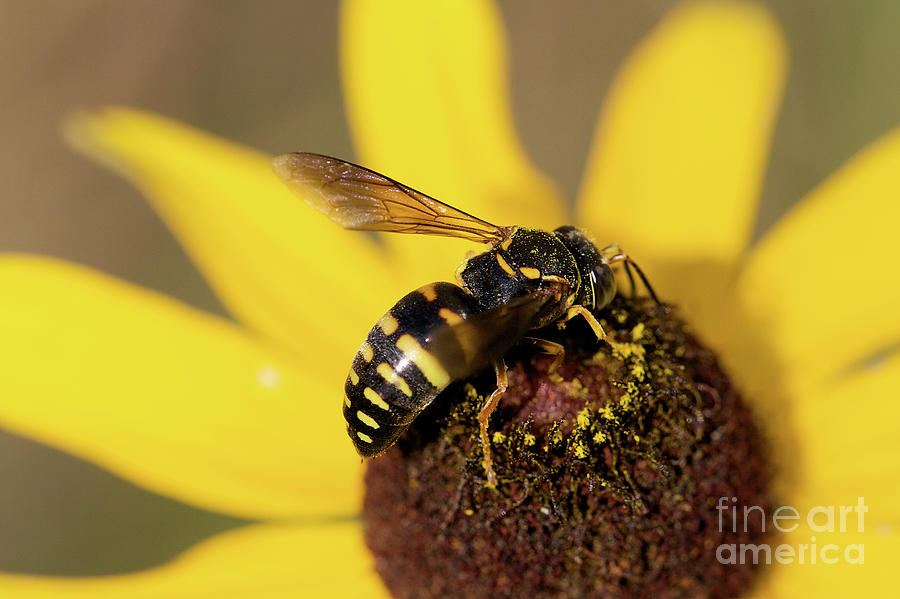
point(180, 402)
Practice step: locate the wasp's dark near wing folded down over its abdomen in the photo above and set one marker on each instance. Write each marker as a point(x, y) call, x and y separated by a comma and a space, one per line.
point(468, 346)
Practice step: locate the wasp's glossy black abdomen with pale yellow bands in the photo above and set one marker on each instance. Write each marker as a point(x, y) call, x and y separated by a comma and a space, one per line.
point(394, 375)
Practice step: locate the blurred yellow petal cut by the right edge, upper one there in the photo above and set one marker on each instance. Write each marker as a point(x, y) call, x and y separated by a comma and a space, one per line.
point(822, 285)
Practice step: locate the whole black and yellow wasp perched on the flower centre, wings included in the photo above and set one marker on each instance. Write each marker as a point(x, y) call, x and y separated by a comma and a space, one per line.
point(442, 332)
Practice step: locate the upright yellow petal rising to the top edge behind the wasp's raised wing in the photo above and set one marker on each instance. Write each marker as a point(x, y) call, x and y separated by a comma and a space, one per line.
point(425, 87)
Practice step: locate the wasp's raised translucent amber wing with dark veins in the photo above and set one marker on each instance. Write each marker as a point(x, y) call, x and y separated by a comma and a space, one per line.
point(357, 198)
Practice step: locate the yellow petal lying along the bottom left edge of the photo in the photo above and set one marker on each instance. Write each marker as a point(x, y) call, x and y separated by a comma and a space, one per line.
point(262, 562)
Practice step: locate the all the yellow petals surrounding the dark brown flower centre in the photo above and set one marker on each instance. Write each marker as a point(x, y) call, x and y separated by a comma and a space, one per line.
point(242, 417)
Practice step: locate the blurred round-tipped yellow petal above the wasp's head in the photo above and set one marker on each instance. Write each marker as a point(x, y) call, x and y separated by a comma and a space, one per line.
point(680, 149)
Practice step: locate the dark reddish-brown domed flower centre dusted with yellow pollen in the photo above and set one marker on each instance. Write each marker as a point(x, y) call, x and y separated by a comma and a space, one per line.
point(609, 473)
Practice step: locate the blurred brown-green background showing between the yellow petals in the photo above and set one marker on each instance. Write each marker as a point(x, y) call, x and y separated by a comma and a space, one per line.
point(265, 73)
